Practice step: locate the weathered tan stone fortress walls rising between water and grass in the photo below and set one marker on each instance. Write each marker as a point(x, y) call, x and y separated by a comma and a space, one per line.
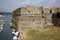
point(34, 17)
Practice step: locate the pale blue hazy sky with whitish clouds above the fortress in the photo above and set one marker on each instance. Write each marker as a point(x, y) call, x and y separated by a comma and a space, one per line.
point(10, 5)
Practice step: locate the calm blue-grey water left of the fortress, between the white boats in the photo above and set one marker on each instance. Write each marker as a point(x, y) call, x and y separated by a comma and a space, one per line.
point(6, 34)
